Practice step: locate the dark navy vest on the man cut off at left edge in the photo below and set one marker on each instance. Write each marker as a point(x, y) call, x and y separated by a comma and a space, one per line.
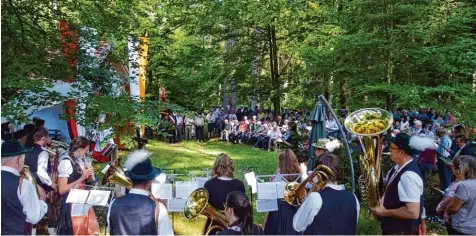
point(13, 220)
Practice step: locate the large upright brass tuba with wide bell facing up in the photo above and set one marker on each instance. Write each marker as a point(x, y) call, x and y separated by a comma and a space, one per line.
point(369, 124)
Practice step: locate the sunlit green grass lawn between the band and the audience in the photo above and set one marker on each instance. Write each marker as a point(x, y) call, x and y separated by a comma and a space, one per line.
point(190, 156)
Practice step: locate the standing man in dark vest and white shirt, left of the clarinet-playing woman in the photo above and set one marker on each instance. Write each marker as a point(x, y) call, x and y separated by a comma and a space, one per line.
point(39, 162)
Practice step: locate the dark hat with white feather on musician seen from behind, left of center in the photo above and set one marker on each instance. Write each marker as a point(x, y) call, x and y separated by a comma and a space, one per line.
point(139, 166)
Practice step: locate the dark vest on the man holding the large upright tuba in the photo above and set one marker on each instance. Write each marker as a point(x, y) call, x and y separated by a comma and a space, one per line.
point(392, 201)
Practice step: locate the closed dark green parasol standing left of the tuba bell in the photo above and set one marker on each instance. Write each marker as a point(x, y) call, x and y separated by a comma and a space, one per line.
point(318, 119)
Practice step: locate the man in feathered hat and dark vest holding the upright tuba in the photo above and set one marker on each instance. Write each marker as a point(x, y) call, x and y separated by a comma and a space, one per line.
point(401, 206)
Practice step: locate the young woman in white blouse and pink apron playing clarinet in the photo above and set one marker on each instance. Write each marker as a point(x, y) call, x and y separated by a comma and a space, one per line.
point(73, 170)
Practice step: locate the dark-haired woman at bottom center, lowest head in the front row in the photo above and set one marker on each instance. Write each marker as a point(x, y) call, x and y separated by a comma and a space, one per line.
point(239, 214)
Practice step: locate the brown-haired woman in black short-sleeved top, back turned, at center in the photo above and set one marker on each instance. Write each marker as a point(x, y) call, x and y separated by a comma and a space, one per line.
point(221, 183)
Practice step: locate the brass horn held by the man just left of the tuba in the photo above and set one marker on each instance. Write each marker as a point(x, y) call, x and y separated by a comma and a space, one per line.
point(295, 193)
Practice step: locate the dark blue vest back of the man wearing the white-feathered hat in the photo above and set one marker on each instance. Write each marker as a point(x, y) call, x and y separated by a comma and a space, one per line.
point(133, 214)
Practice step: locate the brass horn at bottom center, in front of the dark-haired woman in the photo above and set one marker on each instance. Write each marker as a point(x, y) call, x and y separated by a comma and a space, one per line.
point(197, 203)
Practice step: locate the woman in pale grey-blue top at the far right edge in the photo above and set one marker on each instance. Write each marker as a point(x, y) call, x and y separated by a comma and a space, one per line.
point(462, 207)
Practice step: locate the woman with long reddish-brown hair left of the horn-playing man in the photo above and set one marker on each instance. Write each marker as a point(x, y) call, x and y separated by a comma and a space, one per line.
point(280, 222)
